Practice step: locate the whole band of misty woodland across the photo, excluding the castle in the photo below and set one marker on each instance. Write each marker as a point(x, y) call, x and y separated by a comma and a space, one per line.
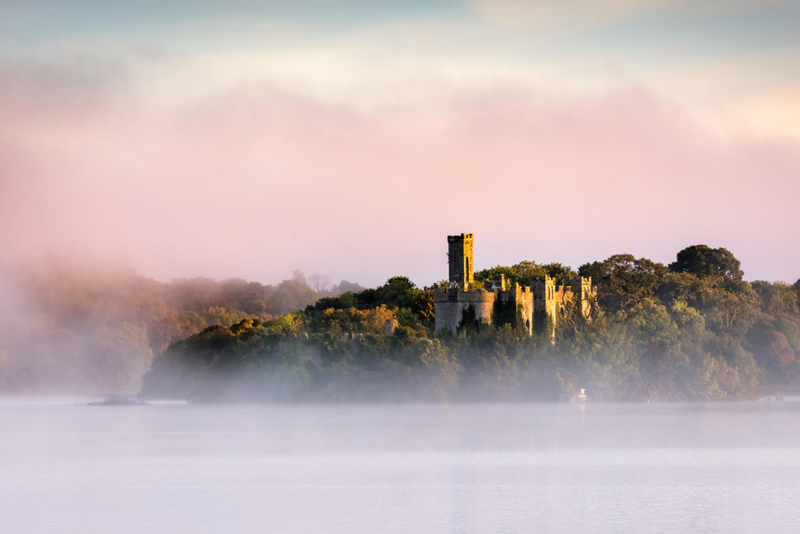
point(691, 330)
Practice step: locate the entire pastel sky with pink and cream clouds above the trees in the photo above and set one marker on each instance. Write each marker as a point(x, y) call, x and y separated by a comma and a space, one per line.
point(349, 138)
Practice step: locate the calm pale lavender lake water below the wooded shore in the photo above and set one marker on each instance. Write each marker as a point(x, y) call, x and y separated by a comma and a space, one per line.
point(408, 468)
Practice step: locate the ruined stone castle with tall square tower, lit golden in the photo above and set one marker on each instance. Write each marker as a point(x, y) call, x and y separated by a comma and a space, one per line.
point(537, 305)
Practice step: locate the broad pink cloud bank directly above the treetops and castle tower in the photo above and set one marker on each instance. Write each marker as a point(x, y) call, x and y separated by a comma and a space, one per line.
point(256, 184)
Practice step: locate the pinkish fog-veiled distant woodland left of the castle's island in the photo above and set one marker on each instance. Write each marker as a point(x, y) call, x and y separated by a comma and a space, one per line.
point(77, 325)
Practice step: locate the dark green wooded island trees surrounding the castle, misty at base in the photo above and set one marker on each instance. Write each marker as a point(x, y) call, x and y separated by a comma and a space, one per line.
point(691, 330)
